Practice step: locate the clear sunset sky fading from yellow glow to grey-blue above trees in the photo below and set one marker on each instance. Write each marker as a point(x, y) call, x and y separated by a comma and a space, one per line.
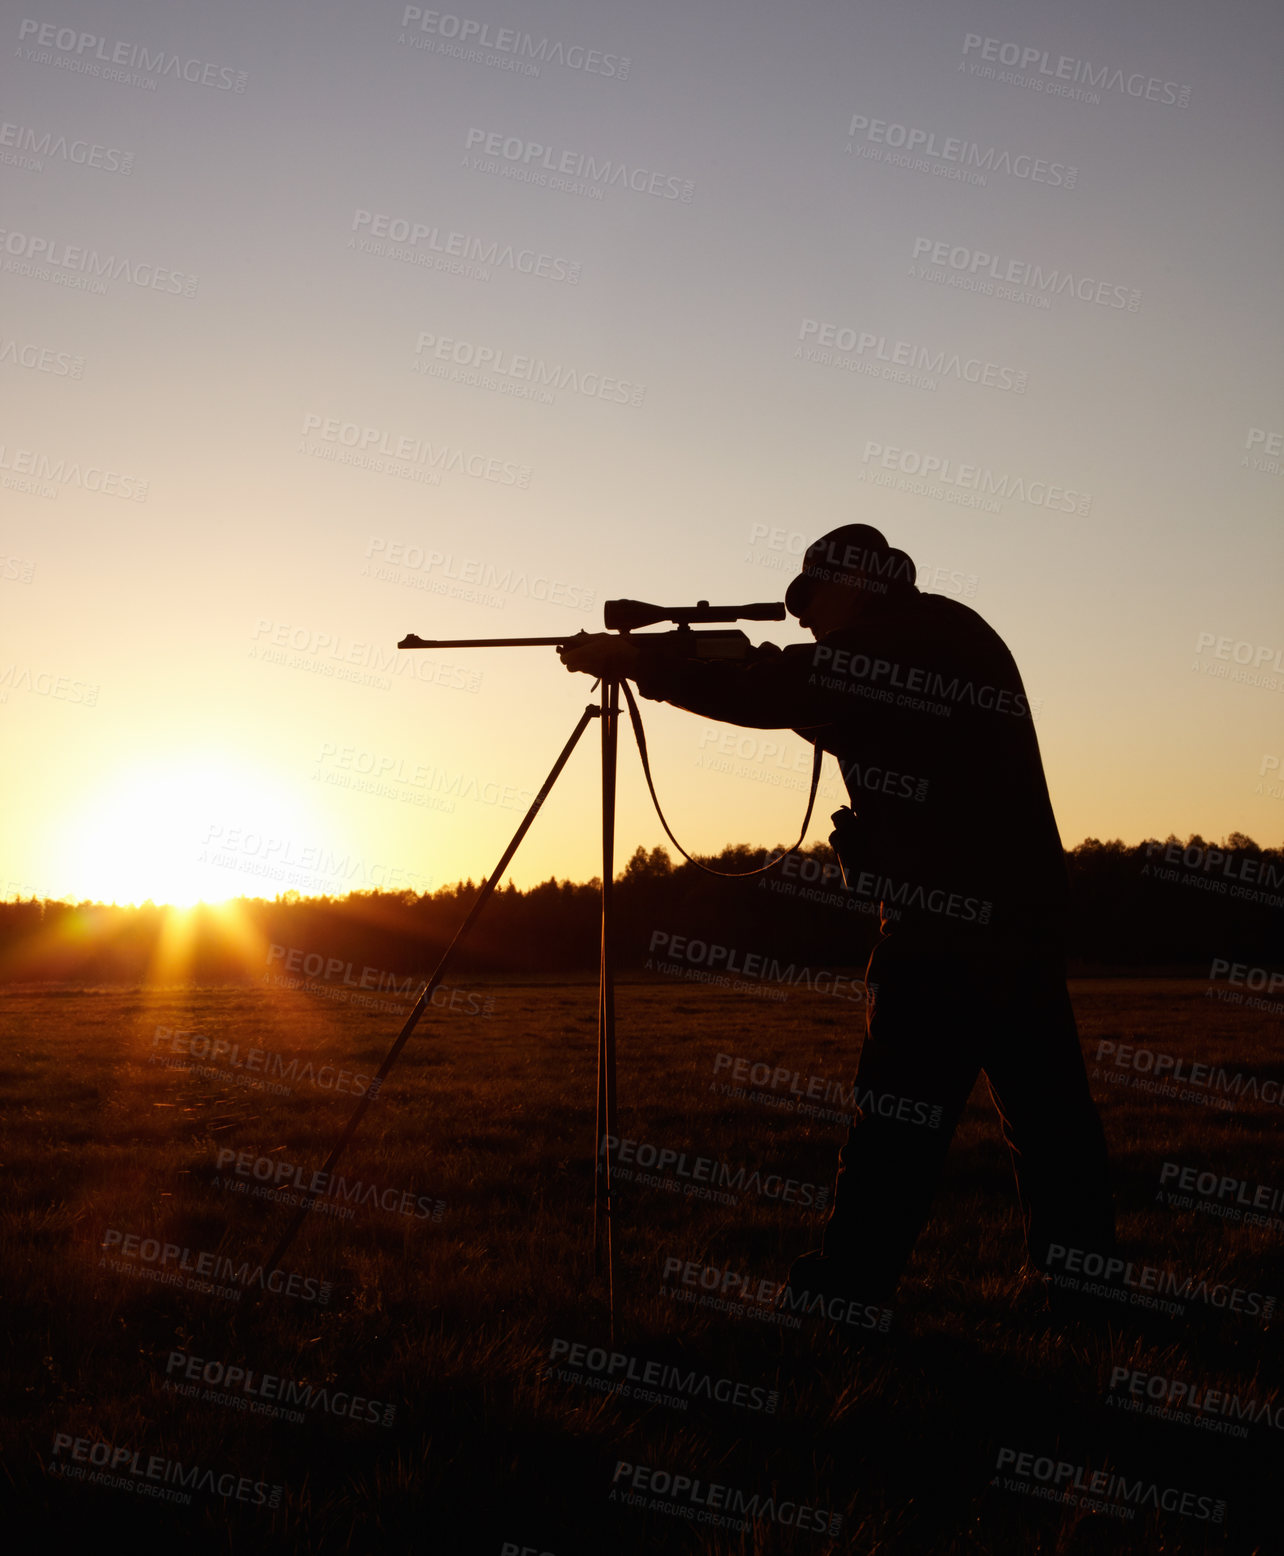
point(325, 324)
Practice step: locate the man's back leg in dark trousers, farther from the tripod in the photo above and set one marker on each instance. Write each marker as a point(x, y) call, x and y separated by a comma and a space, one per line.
point(1040, 1087)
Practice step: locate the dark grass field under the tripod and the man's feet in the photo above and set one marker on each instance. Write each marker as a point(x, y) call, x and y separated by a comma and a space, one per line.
point(463, 1288)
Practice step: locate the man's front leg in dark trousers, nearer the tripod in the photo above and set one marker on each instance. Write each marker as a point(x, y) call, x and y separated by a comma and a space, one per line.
point(919, 1064)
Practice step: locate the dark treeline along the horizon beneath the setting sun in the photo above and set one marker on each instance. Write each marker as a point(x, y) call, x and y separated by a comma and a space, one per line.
point(1159, 905)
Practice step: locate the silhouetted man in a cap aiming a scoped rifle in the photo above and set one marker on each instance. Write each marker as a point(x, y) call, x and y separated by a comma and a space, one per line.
point(953, 836)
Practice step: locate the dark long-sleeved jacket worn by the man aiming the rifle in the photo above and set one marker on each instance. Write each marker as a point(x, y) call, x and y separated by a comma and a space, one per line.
point(924, 707)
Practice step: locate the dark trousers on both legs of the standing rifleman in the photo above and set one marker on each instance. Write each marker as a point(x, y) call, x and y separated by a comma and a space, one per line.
point(939, 1015)
